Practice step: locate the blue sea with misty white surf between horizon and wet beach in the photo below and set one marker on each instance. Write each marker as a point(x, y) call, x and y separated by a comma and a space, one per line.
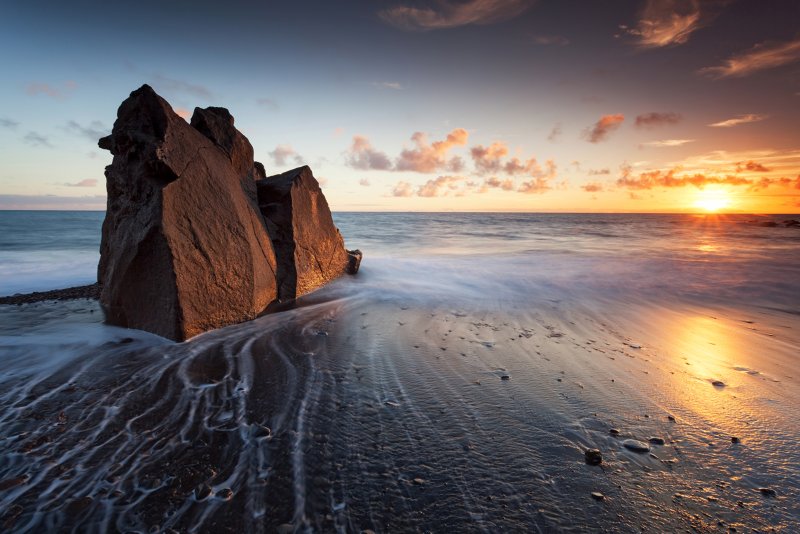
point(710, 256)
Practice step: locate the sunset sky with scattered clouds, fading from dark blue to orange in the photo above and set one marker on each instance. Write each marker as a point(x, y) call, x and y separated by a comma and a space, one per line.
point(426, 105)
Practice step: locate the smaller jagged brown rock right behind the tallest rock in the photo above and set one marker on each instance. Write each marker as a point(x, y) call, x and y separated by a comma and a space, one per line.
point(309, 248)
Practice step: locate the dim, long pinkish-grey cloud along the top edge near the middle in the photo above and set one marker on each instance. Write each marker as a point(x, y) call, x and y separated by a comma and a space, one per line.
point(451, 14)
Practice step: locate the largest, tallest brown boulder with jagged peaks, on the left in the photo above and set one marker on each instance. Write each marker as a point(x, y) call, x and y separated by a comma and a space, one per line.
point(184, 248)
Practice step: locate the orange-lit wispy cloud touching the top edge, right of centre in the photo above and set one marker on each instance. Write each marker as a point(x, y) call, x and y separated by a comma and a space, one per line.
point(666, 23)
